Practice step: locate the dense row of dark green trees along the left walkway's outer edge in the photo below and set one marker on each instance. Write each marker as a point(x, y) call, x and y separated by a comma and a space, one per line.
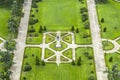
point(13, 24)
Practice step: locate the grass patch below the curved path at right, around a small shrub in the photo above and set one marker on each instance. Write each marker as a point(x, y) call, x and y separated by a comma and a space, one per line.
point(115, 60)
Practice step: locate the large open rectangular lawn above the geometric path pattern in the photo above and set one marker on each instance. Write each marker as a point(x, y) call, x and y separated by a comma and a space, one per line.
point(58, 14)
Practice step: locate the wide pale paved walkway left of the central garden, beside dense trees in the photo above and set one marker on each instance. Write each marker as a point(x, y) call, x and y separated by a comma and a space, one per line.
point(18, 54)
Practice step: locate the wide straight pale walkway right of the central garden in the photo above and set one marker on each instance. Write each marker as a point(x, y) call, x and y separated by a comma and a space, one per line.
point(97, 42)
